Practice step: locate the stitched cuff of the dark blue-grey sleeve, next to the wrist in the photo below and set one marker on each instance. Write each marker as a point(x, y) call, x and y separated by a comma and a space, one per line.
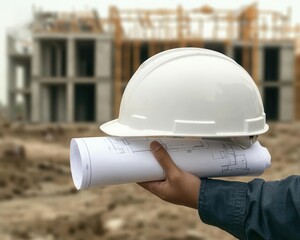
point(223, 204)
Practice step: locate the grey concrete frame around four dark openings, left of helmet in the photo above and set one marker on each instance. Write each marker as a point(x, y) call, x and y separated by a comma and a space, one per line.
point(103, 78)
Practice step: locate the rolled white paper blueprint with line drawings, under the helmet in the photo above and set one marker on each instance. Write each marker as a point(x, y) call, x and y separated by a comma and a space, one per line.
point(102, 161)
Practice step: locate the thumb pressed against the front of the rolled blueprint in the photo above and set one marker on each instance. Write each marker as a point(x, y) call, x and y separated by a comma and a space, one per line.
point(163, 158)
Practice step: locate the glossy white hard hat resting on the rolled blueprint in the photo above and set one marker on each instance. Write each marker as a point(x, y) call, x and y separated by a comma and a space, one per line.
point(189, 92)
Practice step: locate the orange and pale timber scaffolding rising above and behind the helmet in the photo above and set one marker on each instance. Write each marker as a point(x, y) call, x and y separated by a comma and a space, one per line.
point(141, 33)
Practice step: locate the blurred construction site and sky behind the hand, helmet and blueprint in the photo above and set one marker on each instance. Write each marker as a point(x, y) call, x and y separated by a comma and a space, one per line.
point(63, 68)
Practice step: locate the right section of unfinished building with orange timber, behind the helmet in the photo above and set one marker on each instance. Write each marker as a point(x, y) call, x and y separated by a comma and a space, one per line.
point(263, 42)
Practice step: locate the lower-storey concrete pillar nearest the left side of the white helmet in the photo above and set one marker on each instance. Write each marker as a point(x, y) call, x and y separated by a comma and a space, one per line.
point(104, 101)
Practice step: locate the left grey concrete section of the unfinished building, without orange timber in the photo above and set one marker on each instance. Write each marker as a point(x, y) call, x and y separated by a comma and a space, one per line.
point(69, 71)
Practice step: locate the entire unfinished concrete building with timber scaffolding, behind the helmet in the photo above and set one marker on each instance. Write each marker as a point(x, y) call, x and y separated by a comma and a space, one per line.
point(80, 63)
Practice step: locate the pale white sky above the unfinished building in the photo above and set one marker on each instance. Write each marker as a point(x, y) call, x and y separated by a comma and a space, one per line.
point(17, 13)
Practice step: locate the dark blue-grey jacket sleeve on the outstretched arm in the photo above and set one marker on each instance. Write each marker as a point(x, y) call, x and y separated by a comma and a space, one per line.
point(254, 210)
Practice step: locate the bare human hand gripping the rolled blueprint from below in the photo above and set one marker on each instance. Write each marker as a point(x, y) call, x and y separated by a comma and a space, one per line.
point(180, 187)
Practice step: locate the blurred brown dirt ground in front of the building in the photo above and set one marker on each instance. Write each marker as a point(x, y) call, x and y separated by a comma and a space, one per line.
point(38, 200)
